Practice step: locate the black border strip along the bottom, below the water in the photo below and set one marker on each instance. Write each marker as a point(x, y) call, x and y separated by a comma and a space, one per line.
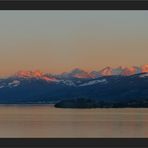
point(74, 142)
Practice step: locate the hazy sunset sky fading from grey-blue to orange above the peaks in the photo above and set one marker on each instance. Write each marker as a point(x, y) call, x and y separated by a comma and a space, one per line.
point(59, 41)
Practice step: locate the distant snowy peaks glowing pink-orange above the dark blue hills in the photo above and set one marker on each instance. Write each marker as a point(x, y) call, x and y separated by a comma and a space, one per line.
point(79, 73)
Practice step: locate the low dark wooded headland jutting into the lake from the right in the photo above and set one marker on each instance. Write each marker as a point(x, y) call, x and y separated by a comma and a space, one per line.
point(93, 103)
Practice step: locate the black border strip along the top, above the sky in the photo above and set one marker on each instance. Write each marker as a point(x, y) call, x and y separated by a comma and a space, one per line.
point(73, 5)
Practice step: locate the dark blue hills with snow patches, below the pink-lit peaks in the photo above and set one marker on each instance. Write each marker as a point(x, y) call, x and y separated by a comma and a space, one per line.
point(105, 88)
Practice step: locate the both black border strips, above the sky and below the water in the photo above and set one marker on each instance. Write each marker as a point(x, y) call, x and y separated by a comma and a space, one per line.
point(74, 5)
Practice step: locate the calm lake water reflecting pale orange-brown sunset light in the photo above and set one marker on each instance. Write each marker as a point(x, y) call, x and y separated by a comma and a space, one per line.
point(47, 121)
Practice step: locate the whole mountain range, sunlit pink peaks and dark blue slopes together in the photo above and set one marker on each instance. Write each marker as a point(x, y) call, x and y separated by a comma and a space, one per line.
point(109, 84)
